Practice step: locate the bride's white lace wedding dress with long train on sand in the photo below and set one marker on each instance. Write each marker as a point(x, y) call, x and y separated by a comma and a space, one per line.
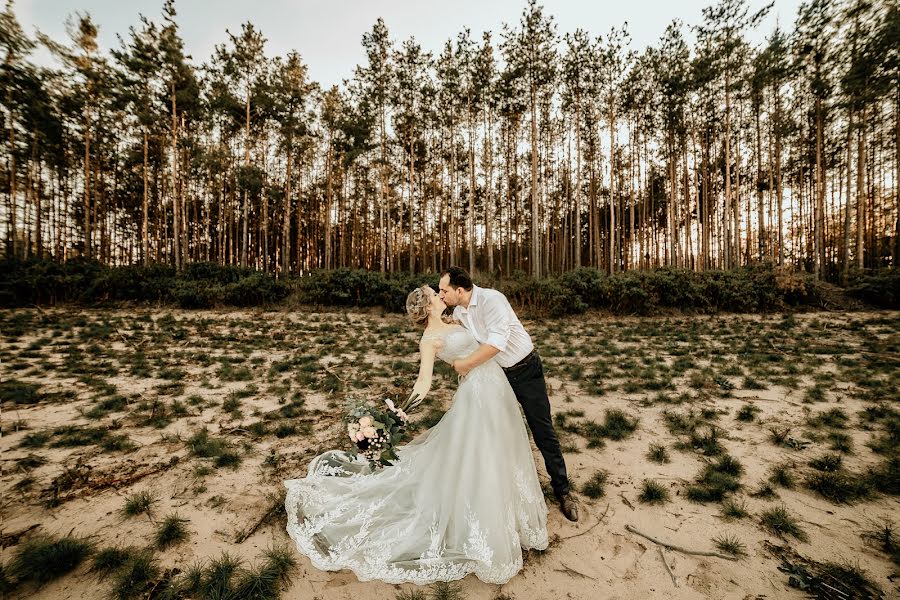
point(463, 498)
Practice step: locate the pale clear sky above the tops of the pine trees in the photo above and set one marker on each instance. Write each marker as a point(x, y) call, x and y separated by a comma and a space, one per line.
point(328, 33)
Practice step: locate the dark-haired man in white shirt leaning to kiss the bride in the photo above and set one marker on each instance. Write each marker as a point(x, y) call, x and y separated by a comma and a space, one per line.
point(490, 319)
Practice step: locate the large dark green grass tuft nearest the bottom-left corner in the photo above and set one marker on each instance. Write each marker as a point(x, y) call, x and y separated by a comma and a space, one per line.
point(43, 559)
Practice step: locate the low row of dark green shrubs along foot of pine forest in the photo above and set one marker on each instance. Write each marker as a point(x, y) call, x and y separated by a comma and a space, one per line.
point(761, 287)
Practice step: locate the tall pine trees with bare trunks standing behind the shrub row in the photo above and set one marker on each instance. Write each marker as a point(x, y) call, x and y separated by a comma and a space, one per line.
point(529, 149)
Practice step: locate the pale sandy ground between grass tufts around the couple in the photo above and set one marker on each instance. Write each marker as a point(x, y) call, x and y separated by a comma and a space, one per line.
point(595, 557)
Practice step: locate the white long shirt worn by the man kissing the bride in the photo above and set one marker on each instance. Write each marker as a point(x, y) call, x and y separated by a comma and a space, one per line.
point(491, 320)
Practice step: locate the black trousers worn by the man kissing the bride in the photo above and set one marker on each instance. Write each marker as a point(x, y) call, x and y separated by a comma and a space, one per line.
point(527, 381)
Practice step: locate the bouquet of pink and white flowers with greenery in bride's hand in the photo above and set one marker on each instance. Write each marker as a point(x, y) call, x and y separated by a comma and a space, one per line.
point(375, 430)
